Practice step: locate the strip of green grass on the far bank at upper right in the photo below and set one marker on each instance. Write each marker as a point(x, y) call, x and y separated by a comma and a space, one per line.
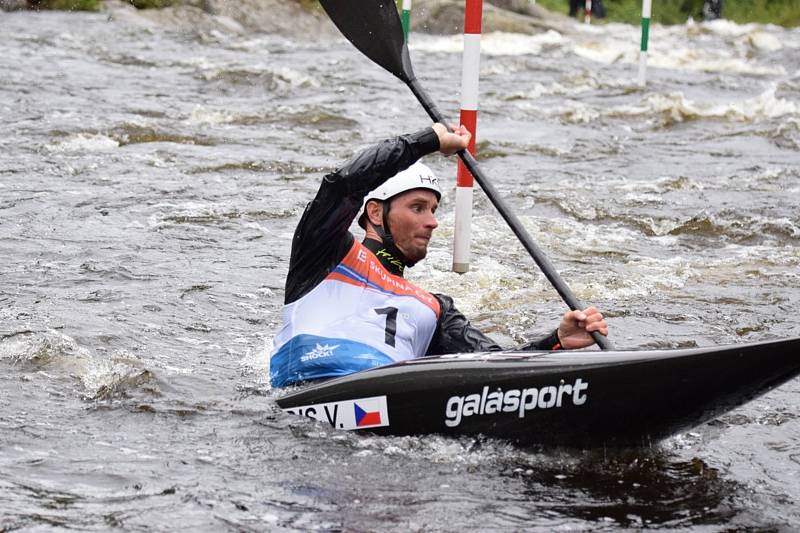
point(783, 12)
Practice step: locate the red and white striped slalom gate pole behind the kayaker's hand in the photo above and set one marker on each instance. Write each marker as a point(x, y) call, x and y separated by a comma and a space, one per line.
point(469, 118)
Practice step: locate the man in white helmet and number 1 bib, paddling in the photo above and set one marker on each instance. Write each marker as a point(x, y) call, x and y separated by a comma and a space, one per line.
point(347, 306)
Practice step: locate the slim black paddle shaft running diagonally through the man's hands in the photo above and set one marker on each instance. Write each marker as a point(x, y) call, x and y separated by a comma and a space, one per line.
point(511, 219)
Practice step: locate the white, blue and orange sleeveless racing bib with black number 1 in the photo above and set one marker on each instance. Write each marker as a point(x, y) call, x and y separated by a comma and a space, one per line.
point(360, 316)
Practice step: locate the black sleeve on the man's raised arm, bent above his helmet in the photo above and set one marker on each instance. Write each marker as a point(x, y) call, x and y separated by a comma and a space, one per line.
point(322, 237)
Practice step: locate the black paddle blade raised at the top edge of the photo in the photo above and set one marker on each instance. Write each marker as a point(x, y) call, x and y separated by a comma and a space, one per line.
point(374, 27)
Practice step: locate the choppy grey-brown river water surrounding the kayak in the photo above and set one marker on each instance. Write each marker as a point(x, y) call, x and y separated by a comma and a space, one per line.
point(150, 181)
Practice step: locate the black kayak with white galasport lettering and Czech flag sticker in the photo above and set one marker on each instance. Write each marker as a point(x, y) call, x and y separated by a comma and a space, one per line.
point(578, 398)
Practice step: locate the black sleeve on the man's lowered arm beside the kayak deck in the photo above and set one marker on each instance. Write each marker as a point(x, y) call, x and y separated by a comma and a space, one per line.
point(454, 334)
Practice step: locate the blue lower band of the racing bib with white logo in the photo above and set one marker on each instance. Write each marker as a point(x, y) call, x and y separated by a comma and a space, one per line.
point(309, 357)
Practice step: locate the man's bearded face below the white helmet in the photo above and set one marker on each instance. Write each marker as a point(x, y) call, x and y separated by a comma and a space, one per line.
point(412, 221)
